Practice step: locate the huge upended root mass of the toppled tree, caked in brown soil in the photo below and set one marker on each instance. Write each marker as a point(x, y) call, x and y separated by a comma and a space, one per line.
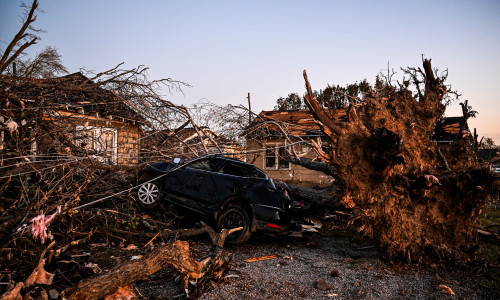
point(415, 196)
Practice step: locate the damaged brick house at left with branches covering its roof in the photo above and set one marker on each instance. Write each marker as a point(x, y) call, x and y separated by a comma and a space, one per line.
point(70, 116)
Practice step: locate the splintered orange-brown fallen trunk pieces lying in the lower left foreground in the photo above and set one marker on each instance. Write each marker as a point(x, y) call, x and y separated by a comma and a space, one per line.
point(120, 279)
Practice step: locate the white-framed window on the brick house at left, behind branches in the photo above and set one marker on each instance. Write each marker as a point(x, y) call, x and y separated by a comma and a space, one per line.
point(99, 141)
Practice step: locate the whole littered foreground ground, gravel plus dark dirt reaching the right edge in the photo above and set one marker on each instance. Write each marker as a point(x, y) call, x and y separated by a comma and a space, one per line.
point(333, 265)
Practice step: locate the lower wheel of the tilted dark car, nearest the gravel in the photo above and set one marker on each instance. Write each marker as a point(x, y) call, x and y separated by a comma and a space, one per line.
point(232, 217)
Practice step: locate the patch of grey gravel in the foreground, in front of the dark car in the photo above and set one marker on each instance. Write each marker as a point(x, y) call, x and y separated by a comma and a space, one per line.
point(350, 270)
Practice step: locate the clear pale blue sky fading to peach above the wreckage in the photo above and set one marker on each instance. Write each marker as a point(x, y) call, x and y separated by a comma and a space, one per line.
point(227, 49)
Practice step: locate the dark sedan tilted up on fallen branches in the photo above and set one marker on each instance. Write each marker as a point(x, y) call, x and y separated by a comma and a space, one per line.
point(232, 192)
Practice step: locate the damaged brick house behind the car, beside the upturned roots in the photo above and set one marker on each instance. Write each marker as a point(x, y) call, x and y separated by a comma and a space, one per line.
point(272, 134)
